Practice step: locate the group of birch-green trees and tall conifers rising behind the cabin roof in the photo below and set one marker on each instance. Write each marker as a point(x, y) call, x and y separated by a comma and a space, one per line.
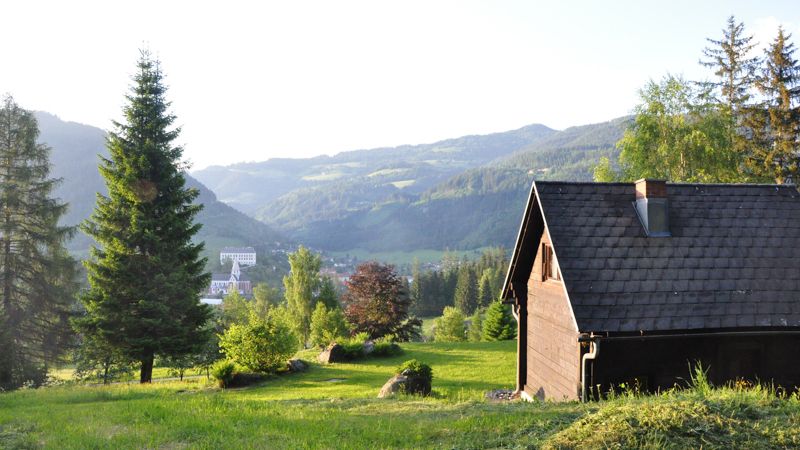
point(741, 125)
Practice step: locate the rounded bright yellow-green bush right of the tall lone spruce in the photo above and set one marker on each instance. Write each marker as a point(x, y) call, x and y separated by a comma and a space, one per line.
point(260, 345)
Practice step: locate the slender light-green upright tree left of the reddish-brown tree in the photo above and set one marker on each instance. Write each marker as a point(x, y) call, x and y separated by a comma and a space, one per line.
point(301, 284)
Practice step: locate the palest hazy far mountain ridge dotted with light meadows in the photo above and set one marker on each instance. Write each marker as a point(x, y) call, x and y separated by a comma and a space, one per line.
point(357, 179)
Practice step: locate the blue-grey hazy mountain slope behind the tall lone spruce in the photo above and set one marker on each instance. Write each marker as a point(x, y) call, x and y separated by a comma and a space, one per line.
point(74, 157)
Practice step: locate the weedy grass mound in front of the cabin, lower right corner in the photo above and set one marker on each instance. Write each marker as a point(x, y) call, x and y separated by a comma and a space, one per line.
point(725, 418)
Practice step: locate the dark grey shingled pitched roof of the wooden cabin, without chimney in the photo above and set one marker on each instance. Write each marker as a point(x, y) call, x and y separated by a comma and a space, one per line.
point(730, 262)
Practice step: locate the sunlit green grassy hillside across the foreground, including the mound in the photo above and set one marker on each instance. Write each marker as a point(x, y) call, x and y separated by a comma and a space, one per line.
point(334, 406)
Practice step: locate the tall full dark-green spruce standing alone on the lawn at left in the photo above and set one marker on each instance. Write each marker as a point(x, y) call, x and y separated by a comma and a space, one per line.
point(146, 274)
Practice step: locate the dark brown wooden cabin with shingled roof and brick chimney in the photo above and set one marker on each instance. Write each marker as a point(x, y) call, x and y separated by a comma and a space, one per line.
point(632, 282)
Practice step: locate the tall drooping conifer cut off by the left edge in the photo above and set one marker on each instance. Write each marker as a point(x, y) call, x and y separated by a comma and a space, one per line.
point(37, 277)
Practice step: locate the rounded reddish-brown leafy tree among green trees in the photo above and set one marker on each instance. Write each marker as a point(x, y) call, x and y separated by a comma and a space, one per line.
point(377, 302)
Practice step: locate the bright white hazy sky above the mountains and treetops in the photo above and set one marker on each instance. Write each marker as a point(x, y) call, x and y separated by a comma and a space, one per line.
point(255, 80)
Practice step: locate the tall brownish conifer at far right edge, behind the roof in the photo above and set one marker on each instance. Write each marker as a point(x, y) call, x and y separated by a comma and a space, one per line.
point(776, 121)
